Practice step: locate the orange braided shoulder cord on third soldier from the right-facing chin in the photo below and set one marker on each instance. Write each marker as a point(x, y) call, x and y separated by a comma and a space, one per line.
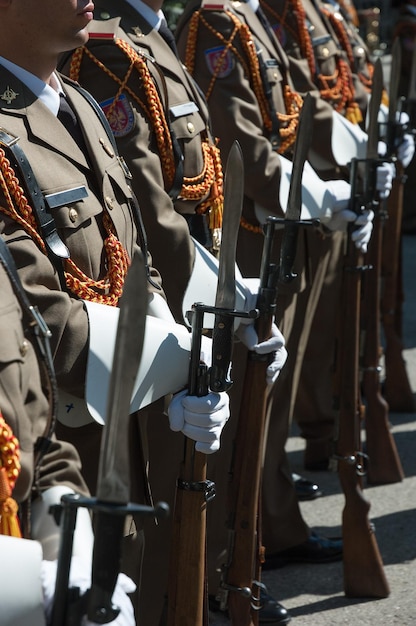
point(293, 101)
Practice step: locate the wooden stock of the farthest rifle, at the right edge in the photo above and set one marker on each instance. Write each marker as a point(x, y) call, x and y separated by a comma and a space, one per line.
point(397, 388)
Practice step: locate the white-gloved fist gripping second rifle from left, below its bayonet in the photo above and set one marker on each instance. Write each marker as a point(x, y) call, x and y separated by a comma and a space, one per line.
point(200, 418)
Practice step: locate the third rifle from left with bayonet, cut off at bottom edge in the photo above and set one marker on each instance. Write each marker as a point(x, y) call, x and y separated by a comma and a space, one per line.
point(240, 582)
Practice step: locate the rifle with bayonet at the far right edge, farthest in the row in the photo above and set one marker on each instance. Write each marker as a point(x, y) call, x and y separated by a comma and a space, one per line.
point(397, 388)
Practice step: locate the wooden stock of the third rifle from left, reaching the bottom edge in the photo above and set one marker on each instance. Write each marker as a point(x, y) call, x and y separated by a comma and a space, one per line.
point(240, 586)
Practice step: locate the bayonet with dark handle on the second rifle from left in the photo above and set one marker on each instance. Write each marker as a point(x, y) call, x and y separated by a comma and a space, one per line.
point(222, 336)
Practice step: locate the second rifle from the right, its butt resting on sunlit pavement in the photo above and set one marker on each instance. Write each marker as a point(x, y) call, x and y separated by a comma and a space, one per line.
point(384, 463)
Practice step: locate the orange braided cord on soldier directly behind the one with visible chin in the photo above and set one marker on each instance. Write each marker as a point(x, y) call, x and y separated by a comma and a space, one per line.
point(207, 185)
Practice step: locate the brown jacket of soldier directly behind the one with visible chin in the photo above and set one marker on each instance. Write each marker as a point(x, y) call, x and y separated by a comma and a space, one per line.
point(132, 123)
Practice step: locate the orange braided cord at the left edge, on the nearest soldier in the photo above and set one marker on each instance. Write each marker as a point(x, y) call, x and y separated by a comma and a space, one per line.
point(9, 473)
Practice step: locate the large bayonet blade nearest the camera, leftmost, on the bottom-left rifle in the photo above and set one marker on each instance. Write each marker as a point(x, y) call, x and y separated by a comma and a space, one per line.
point(113, 483)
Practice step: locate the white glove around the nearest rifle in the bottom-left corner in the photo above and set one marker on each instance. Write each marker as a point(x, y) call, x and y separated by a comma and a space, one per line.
point(80, 577)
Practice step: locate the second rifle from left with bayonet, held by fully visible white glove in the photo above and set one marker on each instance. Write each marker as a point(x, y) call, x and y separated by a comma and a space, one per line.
point(187, 593)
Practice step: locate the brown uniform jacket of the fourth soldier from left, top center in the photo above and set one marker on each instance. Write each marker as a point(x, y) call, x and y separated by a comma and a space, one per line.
point(236, 114)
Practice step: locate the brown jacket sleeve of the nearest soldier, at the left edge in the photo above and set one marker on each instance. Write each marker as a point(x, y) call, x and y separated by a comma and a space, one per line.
point(24, 404)
